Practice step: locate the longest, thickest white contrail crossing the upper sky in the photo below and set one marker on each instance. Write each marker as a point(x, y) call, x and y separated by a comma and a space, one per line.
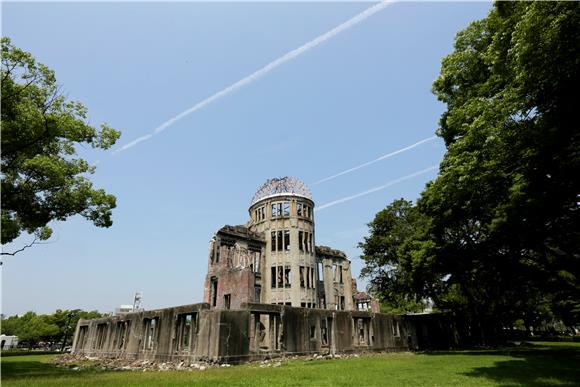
point(263, 71)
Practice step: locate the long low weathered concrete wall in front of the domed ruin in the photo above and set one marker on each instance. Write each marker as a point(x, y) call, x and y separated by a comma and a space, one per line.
point(196, 332)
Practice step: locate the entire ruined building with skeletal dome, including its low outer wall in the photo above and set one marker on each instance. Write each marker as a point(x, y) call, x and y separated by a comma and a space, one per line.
point(269, 291)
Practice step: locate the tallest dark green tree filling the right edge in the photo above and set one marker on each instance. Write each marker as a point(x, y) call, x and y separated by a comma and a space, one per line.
point(504, 213)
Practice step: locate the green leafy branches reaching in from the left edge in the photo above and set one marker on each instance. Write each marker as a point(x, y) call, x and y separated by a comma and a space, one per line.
point(43, 179)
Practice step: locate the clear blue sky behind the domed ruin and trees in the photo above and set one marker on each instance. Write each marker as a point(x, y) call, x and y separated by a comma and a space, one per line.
point(362, 94)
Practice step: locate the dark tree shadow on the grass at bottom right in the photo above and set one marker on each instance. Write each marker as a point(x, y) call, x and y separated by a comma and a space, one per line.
point(532, 365)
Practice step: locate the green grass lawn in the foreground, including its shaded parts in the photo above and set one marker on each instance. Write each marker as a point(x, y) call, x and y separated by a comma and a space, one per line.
point(542, 364)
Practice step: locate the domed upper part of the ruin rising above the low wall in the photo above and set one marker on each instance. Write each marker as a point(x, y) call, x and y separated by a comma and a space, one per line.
point(273, 258)
